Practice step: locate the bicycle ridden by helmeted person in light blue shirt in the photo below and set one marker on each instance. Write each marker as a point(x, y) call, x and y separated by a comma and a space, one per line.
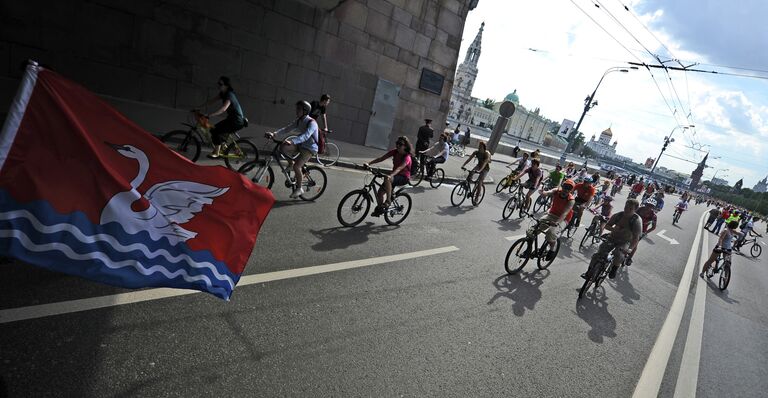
point(314, 182)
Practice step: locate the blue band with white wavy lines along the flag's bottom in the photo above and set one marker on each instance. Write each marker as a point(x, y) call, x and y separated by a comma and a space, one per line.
point(70, 243)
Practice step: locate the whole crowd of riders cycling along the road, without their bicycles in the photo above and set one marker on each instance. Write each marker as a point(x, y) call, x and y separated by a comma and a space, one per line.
point(568, 190)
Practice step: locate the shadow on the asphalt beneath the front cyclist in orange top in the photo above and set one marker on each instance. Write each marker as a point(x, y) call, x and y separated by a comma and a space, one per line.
point(522, 288)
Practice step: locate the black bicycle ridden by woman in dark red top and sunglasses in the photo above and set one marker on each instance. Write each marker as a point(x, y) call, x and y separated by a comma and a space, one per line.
point(354, 206)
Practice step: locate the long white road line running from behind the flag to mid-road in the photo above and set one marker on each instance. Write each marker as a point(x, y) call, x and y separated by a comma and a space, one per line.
point(66, 307)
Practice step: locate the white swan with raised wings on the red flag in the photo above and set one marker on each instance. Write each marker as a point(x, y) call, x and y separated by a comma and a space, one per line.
point(171, 203)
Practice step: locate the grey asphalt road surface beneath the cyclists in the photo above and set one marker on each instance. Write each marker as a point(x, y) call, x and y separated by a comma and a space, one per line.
point(446, 322)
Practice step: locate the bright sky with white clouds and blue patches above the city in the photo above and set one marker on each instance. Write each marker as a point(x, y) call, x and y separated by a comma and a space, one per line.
point(554, 52)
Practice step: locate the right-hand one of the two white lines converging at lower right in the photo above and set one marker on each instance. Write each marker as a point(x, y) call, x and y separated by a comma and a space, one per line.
point(688, 376)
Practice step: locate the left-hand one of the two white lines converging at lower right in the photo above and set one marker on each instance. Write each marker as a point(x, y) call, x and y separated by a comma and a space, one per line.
point(653, 372)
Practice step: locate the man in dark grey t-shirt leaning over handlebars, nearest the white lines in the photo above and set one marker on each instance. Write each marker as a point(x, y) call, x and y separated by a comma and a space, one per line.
point(624, 233)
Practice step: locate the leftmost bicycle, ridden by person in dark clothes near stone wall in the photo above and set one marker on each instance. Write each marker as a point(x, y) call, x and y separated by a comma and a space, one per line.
point(238, 151)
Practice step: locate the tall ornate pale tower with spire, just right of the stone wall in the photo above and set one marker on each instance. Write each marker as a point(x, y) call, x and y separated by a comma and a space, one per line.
point(466, 74)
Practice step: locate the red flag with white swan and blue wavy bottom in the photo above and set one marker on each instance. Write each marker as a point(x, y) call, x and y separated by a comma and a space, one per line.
point(85, 191)
